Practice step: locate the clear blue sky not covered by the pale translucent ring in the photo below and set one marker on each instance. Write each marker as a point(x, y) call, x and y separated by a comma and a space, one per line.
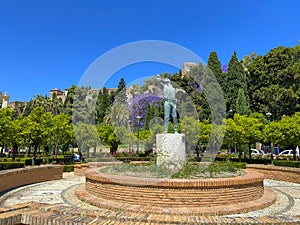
point(48, 44)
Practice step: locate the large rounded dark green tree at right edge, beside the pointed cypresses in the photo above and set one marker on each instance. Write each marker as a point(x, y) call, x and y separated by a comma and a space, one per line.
point(274, 82)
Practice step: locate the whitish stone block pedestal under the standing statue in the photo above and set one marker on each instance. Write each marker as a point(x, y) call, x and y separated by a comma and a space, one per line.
point(170, 150)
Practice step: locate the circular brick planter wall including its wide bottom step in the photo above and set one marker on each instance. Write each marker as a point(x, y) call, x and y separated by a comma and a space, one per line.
point(176, 196)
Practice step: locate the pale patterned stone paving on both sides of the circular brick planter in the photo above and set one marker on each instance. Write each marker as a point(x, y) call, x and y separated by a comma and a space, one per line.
point(287, 205)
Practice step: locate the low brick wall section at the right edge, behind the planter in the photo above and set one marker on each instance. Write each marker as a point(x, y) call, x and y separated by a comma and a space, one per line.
point(278, 172)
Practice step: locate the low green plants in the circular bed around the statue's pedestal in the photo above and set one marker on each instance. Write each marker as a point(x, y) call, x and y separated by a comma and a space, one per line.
point(188, 171)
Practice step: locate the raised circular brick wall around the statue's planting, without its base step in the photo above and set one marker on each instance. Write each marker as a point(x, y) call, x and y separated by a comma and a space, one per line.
point(175, 192)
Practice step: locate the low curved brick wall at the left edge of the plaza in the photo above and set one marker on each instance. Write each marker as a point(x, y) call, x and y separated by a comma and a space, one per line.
point(18, 177)
